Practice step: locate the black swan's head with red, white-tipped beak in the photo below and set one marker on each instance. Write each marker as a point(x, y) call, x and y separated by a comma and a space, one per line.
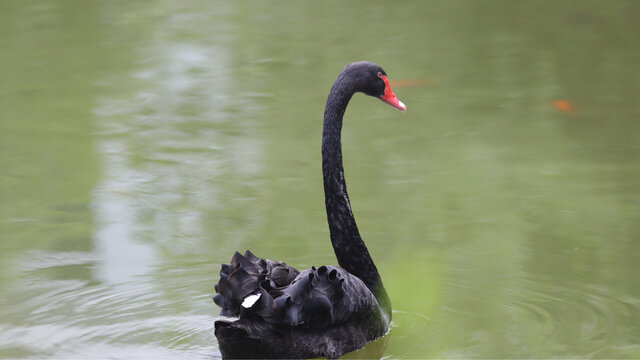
point(372, 80)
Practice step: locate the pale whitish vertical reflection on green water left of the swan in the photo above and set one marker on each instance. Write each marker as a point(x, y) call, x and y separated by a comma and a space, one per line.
point(159, 202)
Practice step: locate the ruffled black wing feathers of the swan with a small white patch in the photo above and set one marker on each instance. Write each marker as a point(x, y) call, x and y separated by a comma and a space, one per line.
point(251, 287)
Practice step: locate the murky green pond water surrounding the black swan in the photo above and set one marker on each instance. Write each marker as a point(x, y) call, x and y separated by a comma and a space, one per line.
point(142, 143)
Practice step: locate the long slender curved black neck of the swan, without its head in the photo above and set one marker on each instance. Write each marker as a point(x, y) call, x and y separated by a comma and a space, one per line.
point(350, 250)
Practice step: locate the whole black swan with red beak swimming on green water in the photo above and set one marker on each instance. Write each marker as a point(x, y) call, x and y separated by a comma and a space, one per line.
point(320, 312)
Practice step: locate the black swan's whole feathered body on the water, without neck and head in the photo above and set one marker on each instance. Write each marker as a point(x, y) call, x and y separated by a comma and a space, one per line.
point(286, 313)
